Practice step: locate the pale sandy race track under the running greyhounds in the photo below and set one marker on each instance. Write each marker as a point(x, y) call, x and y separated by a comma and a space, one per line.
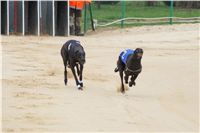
point(165, 98)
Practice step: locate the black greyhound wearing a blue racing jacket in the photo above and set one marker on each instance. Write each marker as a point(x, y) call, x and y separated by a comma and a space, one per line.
point(129, 63)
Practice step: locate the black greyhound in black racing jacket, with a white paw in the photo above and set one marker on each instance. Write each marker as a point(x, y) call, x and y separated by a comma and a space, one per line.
point(73, 55)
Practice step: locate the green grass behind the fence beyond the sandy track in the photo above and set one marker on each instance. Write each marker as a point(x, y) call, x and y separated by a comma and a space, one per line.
point(109, 13)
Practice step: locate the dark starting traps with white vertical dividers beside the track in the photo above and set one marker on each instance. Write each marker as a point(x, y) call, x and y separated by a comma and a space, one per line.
point(35, 17)
